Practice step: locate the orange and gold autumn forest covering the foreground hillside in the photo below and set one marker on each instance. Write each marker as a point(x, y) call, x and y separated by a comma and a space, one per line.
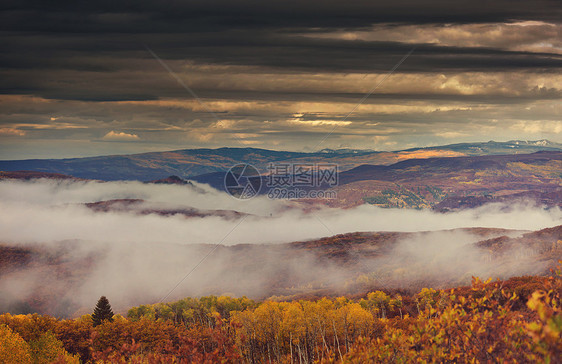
point(517, 320)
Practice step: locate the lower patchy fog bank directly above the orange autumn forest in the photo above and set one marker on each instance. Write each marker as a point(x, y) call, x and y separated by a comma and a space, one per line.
point(66, 279)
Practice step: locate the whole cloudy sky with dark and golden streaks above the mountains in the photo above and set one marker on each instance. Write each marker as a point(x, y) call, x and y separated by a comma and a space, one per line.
point(90, 78)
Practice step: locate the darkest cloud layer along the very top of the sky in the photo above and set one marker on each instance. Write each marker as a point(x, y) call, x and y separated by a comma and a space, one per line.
point(151, 16)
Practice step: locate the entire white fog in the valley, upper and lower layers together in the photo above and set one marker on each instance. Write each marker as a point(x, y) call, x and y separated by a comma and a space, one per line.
point(133, 258)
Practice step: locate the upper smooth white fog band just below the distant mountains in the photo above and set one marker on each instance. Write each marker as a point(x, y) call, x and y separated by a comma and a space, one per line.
point(47, 210)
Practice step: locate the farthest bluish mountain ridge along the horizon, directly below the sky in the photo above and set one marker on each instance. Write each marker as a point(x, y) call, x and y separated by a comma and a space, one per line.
point(194, 162)
